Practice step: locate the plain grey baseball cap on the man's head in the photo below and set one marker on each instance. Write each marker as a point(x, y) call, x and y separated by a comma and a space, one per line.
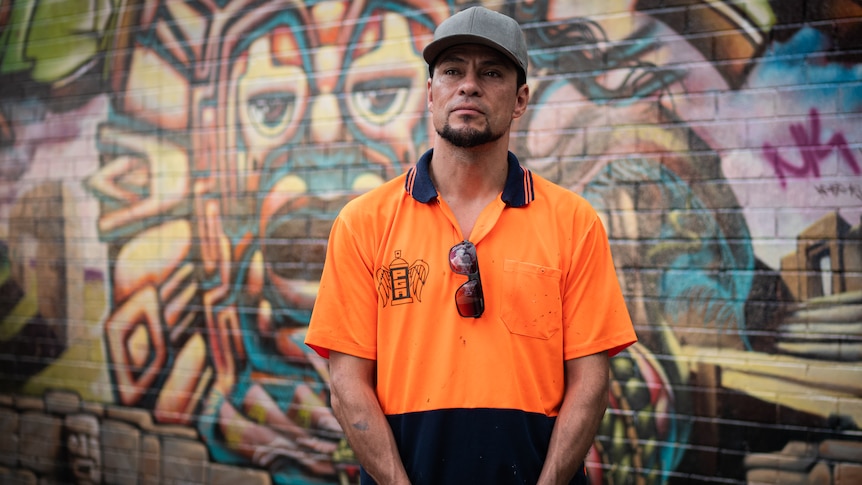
point(478, 25)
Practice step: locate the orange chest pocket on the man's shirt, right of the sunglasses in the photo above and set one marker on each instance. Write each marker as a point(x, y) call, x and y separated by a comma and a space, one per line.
point(531, 304)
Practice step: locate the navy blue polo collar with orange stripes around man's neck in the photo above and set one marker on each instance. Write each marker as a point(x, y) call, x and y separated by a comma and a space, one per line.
point(518, 191)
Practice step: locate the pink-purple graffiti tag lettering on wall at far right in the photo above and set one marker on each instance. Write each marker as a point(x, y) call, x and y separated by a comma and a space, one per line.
point(812, 150)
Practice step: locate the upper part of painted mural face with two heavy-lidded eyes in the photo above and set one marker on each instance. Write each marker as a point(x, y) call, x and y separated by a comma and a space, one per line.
point(314, 80)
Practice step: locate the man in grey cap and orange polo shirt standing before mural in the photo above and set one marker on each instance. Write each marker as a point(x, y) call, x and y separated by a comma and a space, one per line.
point(508, 383)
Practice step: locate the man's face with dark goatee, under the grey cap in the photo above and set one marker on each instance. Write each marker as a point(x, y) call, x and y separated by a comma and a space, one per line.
point(473, 96)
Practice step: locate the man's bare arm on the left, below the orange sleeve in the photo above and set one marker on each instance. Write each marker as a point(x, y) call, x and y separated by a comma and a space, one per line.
point(358, 410)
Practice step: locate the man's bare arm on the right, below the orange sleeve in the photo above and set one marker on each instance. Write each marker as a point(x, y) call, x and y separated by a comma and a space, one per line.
point(584, 404)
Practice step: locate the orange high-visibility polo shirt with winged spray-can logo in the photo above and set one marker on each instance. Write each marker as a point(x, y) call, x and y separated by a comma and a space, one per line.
point(388, 294)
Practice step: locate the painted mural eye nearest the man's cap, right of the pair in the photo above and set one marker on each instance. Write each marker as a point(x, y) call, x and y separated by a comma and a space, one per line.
point(379, 100)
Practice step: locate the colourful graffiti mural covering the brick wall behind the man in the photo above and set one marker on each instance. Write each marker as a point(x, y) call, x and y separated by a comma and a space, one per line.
point(169, 171)
